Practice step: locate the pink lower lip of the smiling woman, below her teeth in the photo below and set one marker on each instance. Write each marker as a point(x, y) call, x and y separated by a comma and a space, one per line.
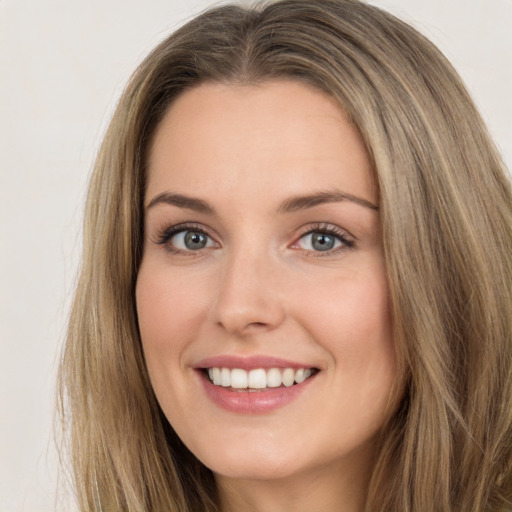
point(252, 402)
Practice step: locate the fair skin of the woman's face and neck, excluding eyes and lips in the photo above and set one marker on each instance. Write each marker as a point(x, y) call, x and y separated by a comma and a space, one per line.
point(259, 287)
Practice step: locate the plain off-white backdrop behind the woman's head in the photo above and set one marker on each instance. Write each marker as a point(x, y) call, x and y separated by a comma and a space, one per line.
point(63, 64)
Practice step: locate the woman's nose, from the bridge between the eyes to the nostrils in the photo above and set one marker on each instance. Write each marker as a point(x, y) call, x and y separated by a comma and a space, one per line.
point(248, 298)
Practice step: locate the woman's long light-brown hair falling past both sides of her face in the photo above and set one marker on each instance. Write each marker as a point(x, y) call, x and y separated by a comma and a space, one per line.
point(446, 213)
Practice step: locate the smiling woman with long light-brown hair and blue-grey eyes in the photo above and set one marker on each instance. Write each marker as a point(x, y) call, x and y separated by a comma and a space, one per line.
point(296, 284)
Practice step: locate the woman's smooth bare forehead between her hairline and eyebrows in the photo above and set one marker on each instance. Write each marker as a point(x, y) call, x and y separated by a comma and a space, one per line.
point(250, 139)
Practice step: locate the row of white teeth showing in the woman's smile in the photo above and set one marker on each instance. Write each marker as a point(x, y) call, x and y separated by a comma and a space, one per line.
point(257, 379)
